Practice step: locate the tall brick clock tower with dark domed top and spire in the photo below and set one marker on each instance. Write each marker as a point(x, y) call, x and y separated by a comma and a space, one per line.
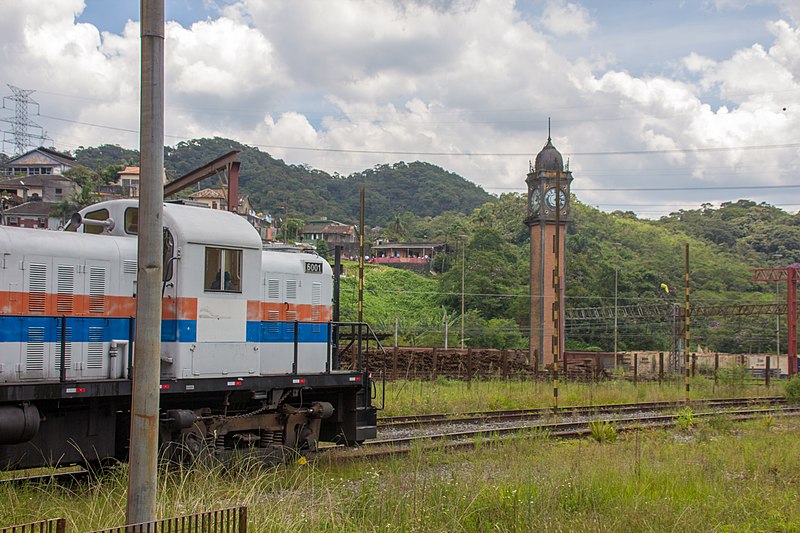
point(548, 215)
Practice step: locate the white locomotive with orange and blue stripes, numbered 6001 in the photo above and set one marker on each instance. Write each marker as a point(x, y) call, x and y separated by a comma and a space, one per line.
point(249, 355)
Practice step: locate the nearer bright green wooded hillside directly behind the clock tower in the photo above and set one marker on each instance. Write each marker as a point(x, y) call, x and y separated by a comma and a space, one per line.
point(641, 254)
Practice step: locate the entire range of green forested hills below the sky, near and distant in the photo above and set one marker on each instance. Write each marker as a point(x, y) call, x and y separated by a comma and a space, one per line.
point(419, 201)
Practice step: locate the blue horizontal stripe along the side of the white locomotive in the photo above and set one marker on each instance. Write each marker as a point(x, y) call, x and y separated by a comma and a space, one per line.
point(17, 329)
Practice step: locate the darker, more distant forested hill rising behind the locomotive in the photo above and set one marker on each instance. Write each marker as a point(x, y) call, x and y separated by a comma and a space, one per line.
point(272, 185)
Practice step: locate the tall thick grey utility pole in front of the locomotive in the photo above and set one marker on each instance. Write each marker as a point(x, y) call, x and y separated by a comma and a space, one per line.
point(142, 477)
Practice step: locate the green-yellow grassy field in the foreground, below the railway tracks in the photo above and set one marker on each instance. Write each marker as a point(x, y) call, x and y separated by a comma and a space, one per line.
point(710, 476)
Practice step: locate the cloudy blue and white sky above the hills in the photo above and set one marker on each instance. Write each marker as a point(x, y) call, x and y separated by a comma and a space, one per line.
point(657, 105)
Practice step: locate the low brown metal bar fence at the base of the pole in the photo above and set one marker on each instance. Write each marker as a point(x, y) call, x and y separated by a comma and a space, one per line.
point(232, 520)
